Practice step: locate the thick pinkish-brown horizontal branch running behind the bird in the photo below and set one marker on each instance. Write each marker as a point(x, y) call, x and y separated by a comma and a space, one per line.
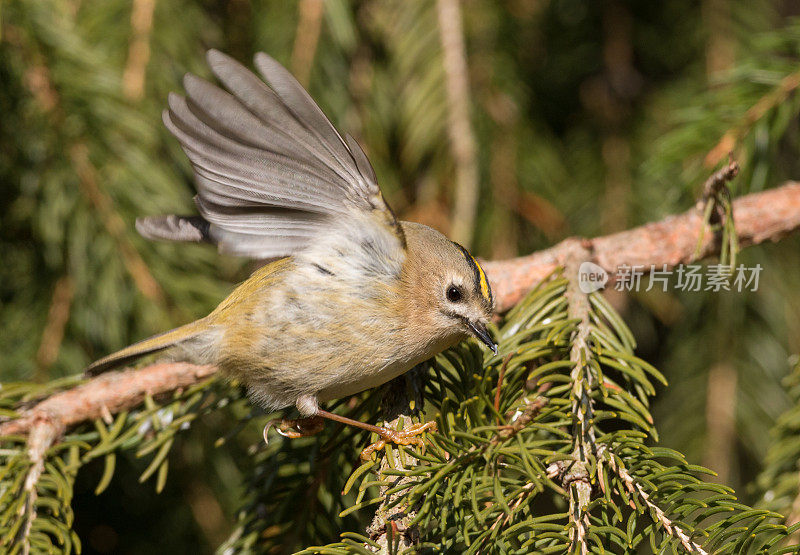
point(768, 215)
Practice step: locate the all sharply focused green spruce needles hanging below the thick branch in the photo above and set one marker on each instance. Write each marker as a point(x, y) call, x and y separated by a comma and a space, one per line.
point(497, 475)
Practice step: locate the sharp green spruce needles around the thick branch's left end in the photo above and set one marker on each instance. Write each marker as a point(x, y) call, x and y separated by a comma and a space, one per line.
point(148, 432)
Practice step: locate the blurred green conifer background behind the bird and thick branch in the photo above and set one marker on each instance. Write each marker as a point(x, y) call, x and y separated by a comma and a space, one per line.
point(559, 117)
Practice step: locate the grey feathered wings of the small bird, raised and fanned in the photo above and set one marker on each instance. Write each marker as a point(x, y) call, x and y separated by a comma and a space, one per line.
point(271, 170)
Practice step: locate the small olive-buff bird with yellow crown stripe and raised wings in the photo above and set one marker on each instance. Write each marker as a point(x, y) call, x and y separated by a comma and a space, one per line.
point(351, 298)
